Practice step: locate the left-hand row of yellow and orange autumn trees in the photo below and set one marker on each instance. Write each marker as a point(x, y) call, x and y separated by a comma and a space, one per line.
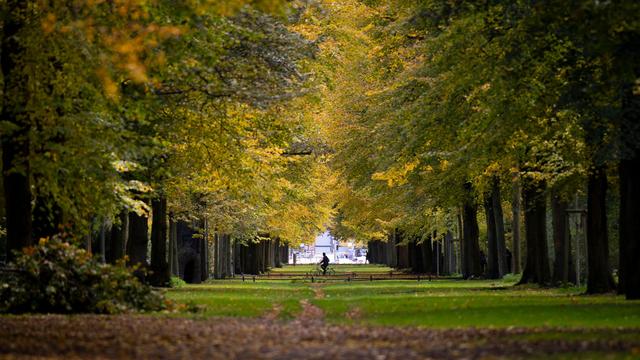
point(127, 123)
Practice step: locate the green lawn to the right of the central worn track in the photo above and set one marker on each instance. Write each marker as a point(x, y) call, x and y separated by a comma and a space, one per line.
point(446, 303)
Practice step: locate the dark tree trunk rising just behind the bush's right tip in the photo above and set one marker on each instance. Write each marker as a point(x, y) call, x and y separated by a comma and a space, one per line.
point(161, 274)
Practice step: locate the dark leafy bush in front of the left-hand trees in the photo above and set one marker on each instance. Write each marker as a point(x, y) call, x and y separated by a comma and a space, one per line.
point(58, 277)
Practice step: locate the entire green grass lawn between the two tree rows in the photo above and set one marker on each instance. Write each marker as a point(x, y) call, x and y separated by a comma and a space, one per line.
point(437, 303)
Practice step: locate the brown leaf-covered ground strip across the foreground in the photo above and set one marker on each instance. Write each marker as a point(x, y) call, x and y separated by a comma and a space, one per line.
point(145, 337)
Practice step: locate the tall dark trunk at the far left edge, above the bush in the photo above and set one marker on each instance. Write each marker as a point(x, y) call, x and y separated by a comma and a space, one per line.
point(15, 146)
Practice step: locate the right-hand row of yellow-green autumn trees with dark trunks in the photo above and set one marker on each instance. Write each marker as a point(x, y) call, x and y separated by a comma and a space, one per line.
point(448, 117)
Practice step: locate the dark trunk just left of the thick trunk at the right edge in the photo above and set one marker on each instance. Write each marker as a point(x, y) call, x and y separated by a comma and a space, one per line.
point(599, 278)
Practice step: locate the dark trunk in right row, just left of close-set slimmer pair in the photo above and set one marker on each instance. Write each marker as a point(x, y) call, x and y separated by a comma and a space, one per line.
point(471, 266)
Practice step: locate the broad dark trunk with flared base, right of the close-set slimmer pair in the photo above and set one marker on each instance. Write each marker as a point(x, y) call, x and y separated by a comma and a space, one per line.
point(537, 262)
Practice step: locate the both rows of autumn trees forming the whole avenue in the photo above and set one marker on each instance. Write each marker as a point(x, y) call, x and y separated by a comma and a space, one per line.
point(245, 127)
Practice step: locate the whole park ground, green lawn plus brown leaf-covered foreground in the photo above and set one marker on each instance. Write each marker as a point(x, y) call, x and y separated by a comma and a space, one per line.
point(333, 318)
